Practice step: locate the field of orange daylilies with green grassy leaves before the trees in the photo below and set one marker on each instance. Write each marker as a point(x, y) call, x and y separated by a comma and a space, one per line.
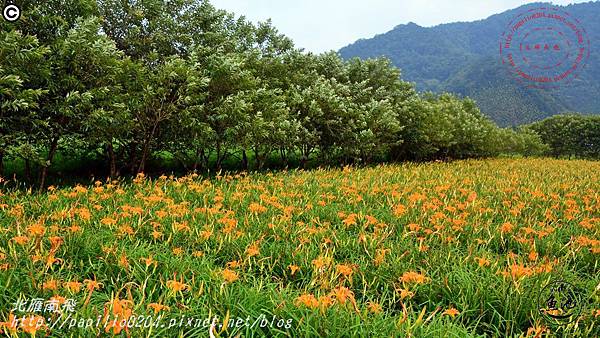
point(434, 250)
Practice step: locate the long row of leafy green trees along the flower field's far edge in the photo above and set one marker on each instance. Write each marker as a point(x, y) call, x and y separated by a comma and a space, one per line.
point(128, 80)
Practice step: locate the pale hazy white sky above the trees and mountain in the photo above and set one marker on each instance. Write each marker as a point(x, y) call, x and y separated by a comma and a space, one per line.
point(322, 25)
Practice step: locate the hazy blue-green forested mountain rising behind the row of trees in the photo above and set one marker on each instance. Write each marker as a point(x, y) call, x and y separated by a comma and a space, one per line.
point(464, 58)
